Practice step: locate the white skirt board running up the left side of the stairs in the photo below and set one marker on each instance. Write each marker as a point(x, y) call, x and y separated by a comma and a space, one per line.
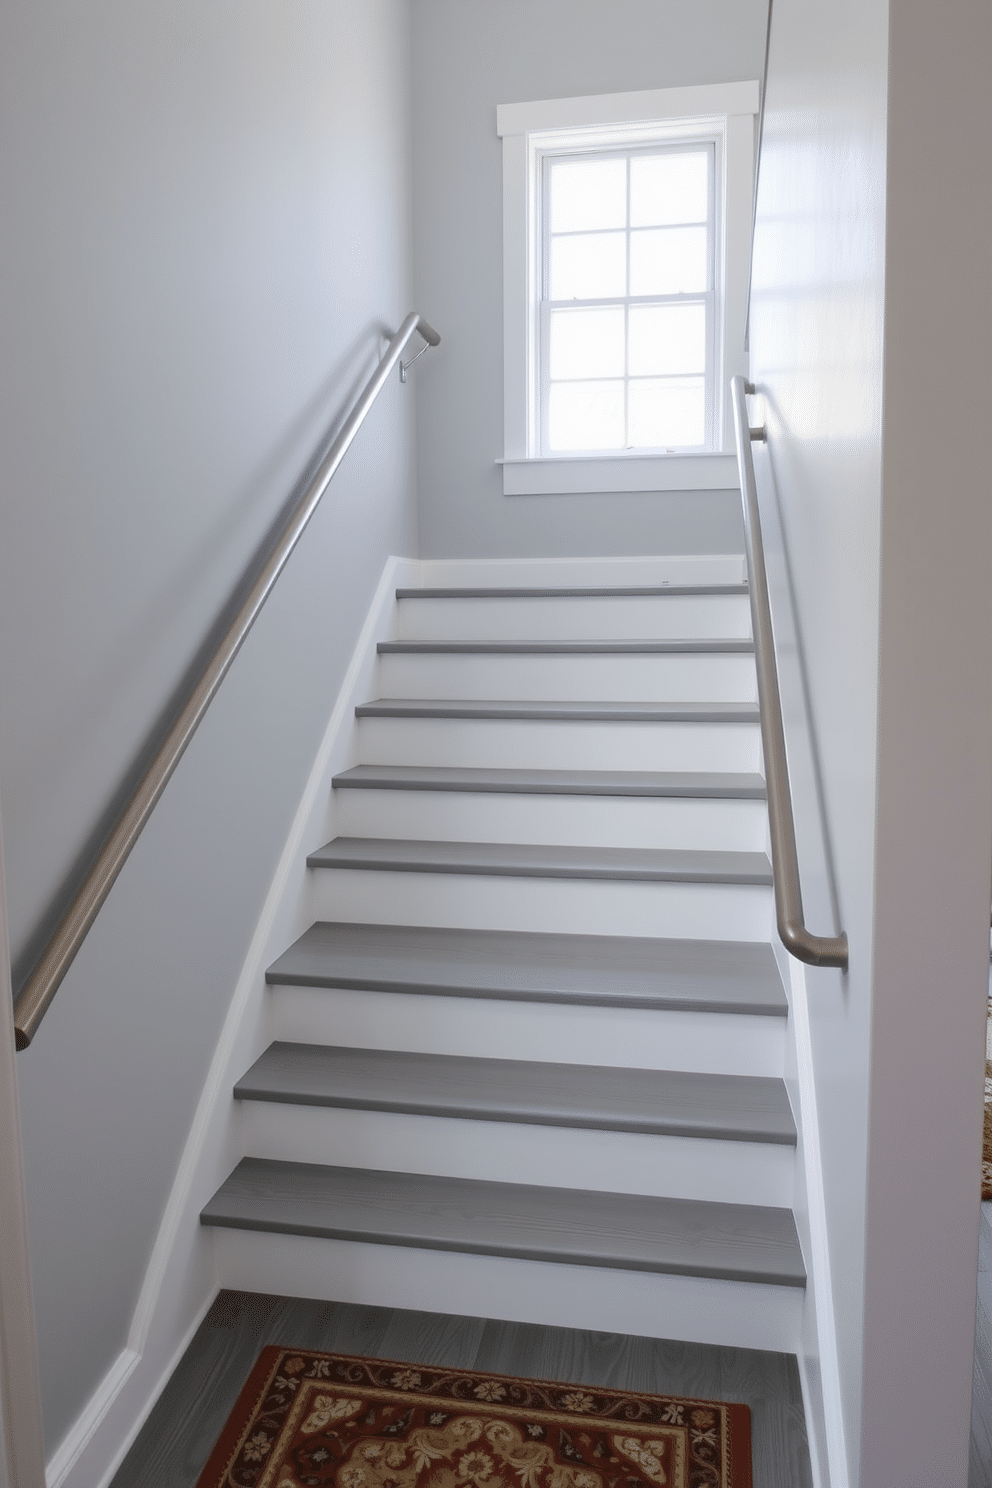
point(181, 1280)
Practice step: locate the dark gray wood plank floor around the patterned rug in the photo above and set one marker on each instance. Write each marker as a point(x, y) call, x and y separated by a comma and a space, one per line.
point(196, 1404)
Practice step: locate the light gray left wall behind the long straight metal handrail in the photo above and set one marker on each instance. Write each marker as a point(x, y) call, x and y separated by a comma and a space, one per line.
point(206, 227)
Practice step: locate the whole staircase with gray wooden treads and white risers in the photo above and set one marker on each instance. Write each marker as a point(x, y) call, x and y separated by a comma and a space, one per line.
point(529, 1059)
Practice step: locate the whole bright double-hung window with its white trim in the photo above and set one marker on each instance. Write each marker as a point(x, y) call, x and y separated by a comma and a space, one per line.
point(625, 252)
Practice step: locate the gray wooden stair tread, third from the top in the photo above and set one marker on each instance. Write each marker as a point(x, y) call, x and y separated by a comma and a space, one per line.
point(576, 712)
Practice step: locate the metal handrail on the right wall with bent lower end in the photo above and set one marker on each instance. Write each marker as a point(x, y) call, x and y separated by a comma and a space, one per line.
point(789, 899)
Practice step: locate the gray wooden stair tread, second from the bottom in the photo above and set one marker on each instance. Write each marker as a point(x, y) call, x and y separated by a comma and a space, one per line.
point(674, 1103)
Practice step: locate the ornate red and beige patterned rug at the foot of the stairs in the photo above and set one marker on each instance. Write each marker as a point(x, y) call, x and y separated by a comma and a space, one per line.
point(312, 1420)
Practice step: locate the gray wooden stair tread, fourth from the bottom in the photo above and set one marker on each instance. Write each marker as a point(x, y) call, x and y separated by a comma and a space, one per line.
point(554, 861)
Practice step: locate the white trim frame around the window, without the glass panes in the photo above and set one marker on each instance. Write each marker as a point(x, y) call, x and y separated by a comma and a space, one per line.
point(724, 112)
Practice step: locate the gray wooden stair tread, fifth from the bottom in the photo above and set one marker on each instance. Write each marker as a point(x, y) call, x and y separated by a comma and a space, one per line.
point(554, 782)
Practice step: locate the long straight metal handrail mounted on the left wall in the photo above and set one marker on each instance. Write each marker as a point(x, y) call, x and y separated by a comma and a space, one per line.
point(48, 972)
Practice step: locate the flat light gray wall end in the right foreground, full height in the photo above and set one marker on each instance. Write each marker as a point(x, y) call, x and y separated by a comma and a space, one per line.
point(935, 752)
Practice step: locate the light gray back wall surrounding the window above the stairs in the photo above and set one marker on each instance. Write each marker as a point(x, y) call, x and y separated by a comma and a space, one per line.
point(468, 59)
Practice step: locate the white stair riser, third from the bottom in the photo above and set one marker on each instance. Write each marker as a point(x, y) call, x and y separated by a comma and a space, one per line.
point(564, 1033)
